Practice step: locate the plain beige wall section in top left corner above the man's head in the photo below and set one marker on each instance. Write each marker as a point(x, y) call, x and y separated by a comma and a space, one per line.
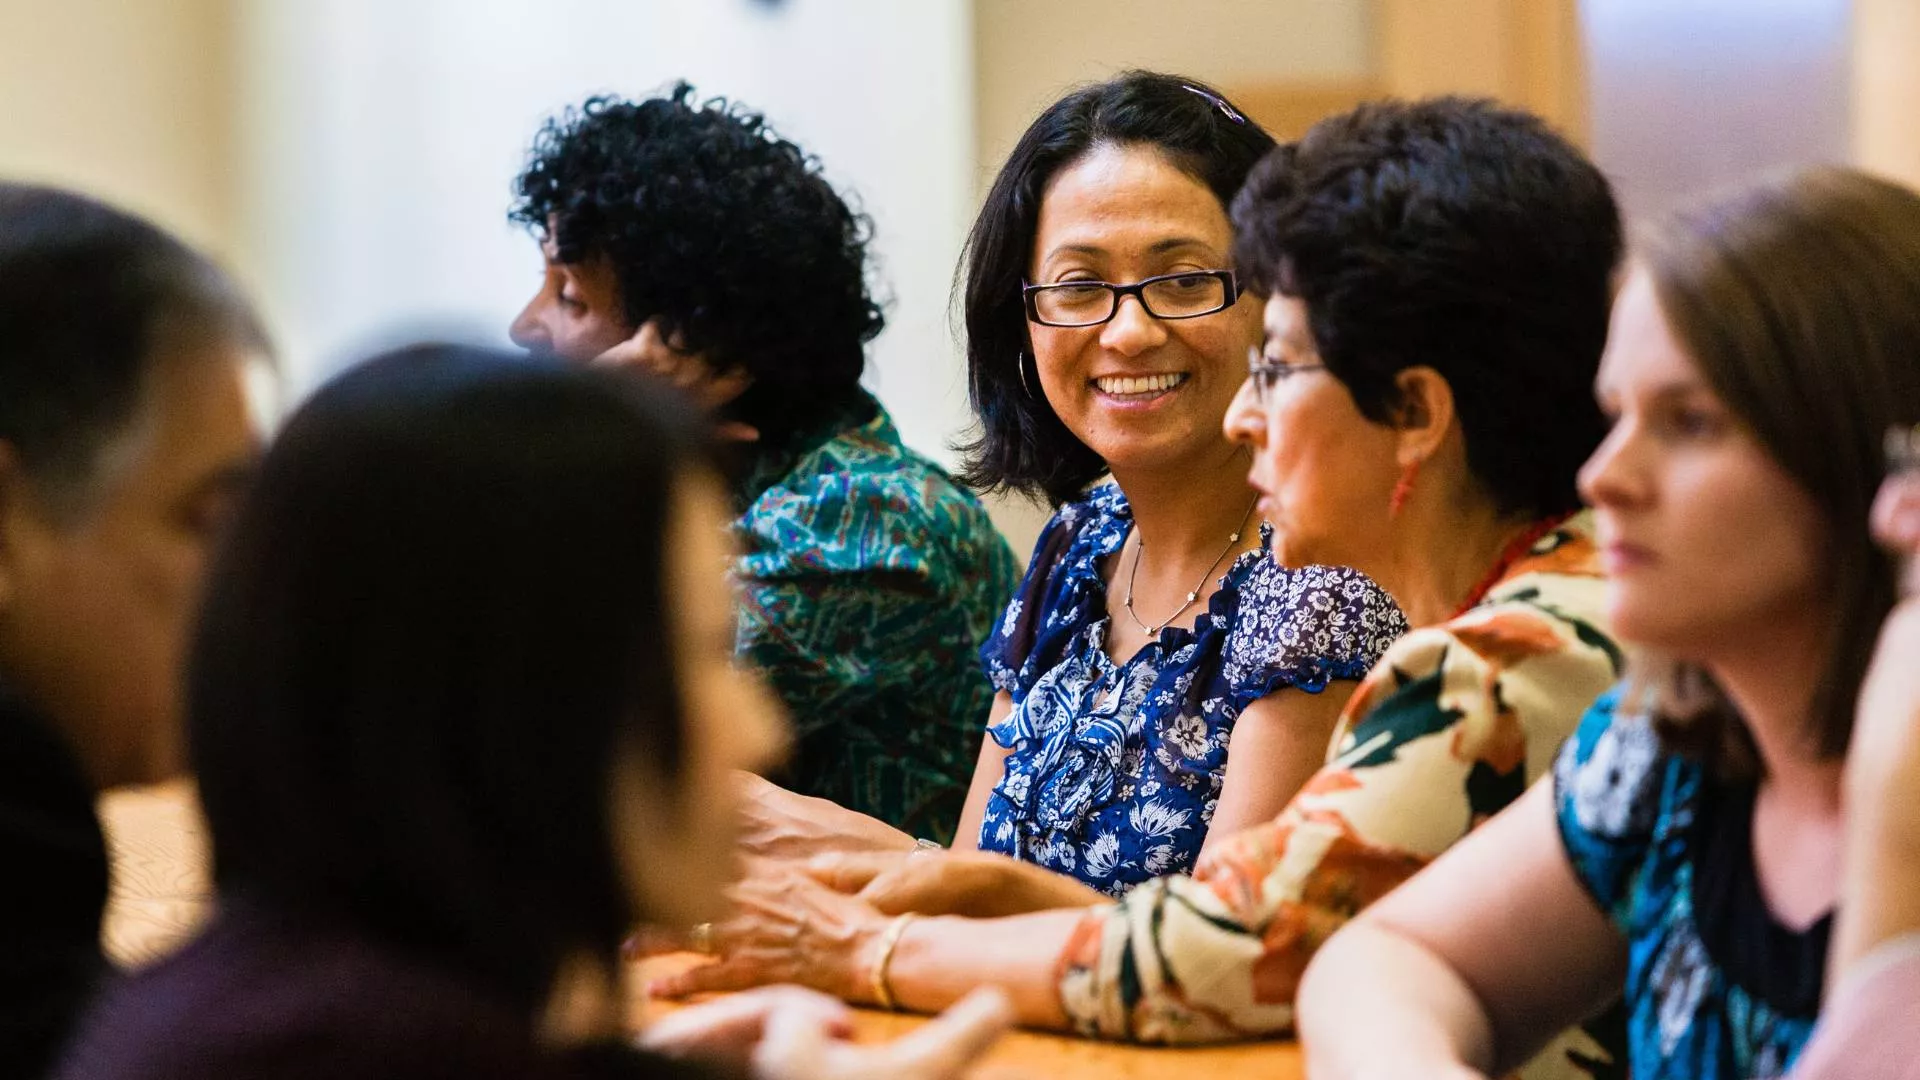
point(128, 99)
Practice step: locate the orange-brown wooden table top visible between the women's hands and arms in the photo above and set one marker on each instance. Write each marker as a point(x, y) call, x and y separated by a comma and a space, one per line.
point(1040, 1056)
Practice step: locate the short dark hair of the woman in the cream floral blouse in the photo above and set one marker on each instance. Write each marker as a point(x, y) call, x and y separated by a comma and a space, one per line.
point(1464, 237)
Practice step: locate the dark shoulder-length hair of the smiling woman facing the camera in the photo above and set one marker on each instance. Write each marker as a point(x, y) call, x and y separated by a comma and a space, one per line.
point(1022, 445)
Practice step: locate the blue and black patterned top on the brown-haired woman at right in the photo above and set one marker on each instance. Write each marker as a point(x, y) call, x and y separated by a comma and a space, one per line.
point(1716, 989)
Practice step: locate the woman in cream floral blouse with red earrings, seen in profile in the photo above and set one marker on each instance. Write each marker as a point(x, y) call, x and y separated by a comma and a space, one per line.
point(1418, 412)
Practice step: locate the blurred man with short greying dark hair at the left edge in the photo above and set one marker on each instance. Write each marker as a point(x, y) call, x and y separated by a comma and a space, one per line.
point(126, 437)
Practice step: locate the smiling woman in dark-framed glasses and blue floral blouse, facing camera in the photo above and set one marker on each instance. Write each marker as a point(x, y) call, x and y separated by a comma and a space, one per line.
point(1107, 335)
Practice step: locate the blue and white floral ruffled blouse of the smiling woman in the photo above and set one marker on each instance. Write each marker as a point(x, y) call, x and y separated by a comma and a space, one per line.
point(1115, 768)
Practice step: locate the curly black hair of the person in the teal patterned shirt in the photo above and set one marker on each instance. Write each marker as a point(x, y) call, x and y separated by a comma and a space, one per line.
point(721, 232)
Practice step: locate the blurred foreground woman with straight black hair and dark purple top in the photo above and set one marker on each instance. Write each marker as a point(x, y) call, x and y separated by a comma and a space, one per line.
point(464, 708)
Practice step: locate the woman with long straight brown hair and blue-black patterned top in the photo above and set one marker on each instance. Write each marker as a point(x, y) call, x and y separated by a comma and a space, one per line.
point(1689, 847)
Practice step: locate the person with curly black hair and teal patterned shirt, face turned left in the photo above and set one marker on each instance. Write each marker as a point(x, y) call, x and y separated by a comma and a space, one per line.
point(690, 239)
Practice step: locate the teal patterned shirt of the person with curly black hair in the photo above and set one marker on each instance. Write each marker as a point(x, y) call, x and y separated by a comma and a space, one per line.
point(869, 585)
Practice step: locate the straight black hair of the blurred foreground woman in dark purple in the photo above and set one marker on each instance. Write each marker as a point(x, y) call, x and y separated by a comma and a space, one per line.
point(437, 626)
